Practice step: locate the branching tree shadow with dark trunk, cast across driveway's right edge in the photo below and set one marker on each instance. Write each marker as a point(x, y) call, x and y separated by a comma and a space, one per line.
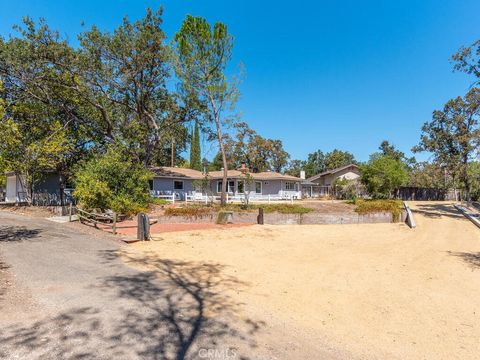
point(183, 306)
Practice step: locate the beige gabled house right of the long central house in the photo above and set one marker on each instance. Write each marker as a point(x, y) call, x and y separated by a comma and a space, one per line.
point(321, 184)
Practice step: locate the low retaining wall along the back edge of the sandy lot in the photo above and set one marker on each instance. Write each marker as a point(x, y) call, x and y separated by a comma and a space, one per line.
point(286, 219)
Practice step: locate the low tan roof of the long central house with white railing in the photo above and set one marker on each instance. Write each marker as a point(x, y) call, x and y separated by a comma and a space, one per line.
point(173, 172)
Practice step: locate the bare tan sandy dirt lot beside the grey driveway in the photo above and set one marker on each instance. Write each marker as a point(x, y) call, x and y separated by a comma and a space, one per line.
point(347, 291)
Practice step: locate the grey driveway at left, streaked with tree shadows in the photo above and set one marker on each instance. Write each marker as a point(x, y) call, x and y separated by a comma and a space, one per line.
point(65, 294)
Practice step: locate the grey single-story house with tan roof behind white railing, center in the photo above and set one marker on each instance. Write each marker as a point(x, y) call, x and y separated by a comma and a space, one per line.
point(188, 183)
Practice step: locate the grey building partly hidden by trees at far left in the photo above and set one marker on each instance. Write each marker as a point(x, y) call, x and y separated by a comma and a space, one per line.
point(49, 190)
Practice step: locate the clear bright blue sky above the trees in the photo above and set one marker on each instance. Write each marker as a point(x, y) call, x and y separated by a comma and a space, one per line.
point(318, 74)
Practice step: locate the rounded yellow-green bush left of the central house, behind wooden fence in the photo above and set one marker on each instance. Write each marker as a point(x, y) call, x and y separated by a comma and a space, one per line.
point(112, 181)
